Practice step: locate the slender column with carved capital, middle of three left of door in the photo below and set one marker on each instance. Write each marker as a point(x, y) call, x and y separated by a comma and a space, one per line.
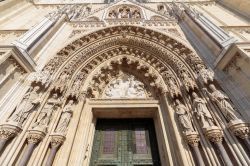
point(33, 138)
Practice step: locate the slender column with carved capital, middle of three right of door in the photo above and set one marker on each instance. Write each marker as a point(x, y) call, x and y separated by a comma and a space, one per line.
point(214, 134)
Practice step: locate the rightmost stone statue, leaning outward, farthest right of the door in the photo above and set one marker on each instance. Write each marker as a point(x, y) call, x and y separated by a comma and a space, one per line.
point(222, 101)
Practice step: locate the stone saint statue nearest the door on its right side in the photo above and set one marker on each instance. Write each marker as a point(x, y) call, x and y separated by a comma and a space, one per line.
point(183, 117)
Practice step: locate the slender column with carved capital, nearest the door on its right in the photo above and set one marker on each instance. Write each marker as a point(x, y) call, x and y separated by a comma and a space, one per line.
point(193, 140)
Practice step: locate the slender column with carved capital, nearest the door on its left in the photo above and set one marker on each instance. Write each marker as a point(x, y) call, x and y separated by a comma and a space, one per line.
point(56, 142)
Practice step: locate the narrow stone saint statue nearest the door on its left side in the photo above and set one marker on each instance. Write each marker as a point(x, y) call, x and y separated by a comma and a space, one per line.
point(65, 118)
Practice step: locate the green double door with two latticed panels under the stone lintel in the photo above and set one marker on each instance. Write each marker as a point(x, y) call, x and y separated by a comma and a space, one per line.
point(125, 142)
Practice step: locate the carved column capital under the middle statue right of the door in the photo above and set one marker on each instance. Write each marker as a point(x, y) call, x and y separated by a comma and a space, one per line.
point(214, 134)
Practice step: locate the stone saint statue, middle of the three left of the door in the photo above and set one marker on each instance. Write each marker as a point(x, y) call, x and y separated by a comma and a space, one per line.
point(45, 115)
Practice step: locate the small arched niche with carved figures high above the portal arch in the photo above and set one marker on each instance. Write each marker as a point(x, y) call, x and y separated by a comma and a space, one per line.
point(124, 12)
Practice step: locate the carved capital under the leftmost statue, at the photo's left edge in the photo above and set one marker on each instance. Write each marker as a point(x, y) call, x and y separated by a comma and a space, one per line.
point(8, 131)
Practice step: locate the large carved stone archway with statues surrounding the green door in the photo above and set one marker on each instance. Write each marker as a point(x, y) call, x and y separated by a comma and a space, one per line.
point(79, 74)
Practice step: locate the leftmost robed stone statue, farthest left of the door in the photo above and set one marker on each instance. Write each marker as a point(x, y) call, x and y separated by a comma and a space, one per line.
point(28, 104)
